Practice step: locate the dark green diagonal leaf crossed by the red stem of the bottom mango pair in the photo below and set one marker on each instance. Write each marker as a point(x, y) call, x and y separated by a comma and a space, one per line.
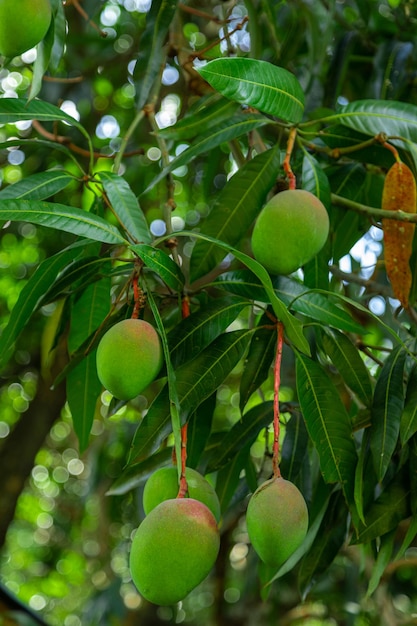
point(196, 381)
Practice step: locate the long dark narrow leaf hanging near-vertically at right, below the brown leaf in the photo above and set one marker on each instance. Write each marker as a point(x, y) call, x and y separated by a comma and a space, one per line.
point(387, 408)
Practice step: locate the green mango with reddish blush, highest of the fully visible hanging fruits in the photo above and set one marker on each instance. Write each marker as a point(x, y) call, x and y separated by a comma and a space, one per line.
point(290, 230)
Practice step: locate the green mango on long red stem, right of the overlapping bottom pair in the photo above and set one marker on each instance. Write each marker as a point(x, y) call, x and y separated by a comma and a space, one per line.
point(276, 520)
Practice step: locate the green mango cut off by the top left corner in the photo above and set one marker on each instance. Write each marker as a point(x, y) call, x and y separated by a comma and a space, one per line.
point(23, 24)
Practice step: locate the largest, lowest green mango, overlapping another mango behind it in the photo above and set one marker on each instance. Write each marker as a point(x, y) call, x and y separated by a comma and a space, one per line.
point(173, 550)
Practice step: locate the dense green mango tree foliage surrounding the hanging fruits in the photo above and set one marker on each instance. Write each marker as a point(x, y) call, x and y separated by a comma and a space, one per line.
point(139, 143)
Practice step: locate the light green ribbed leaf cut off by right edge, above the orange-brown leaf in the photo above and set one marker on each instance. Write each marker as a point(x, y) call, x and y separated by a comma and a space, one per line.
point(372, 117)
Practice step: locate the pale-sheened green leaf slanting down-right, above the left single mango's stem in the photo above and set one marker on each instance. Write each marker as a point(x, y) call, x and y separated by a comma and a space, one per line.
point(126, 207)
